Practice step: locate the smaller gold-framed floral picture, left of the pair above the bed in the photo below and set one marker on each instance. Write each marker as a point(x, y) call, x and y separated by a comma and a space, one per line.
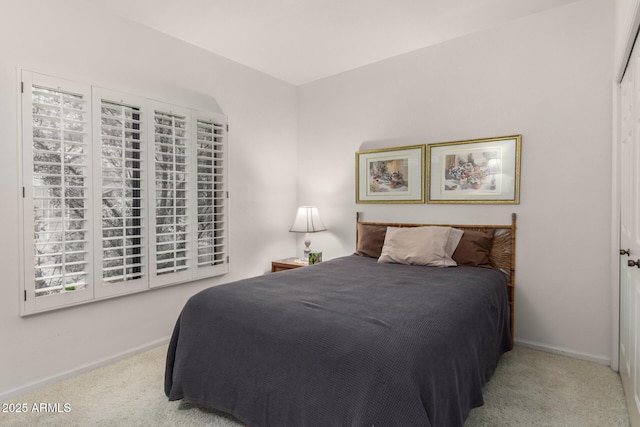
point(390, 175)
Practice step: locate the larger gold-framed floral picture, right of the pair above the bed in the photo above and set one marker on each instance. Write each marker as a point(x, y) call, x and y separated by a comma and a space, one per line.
point(475, 171)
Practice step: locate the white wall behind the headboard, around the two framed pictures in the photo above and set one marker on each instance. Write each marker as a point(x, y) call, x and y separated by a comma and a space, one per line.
point(548, 77)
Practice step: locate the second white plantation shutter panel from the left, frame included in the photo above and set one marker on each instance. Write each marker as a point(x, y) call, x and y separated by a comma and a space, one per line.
point(120, 193)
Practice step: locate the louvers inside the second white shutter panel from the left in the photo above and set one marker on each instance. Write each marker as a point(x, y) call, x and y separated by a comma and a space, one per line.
point(121, 193)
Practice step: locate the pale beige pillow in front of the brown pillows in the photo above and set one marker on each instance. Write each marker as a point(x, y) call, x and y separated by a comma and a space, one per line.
point(419, 246)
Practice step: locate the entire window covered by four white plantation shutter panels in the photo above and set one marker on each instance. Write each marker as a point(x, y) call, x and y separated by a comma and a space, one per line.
point(121, 194)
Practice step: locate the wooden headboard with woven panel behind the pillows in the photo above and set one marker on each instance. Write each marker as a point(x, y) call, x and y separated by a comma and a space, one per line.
point(502, 256)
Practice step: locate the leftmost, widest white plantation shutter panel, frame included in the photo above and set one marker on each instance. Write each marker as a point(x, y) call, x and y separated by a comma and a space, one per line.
point(56, 164)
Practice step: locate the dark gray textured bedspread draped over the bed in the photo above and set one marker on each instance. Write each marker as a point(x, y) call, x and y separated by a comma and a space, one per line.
point(347, 342)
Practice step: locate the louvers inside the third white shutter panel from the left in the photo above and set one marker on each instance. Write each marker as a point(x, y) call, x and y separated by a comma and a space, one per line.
point(171, 192)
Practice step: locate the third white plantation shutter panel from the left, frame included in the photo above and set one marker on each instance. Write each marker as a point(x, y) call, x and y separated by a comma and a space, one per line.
point(171, 219)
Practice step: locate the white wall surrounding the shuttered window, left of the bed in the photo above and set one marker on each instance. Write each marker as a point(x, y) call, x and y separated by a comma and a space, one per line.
point(76, 40)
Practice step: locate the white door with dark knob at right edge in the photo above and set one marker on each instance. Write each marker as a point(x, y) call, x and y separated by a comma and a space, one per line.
point(629, 164)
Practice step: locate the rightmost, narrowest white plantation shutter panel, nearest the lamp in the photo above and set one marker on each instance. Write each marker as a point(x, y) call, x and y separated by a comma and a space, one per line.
point(212, 219)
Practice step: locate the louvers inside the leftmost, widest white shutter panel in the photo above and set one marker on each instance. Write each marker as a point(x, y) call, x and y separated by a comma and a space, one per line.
point(60, 183)
